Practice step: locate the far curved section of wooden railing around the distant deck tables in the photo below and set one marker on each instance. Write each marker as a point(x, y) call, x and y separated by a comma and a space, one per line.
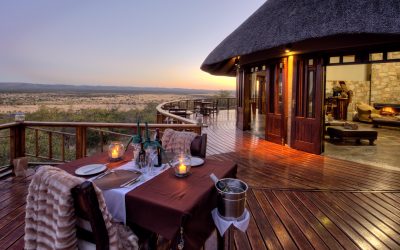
point(164, 116)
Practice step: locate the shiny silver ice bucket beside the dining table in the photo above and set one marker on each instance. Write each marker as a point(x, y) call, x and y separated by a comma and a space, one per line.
point(232, 199)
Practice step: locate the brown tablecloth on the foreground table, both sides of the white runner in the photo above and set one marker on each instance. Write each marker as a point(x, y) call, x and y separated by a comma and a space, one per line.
point(175, 208)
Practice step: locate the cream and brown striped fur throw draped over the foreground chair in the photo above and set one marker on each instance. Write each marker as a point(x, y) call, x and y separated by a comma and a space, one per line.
point(50, 222)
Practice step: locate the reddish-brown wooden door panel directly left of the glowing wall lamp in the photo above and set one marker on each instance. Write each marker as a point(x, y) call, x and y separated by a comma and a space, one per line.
point(275, 127)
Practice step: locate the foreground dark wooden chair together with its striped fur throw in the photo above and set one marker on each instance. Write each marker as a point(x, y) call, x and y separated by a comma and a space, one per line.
point(64, 212)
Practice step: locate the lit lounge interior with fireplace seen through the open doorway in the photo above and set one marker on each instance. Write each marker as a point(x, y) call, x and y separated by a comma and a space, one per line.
point(364, 97)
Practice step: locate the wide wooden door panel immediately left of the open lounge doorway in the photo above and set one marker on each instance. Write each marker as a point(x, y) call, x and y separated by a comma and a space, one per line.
point(308, 80)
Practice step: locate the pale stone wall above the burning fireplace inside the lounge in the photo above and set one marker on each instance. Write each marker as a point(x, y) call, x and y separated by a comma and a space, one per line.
point(385, 87)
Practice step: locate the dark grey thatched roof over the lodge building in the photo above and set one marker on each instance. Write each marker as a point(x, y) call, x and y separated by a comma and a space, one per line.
point(278, 23)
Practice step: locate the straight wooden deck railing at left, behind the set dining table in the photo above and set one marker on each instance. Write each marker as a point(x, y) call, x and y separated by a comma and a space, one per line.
point(64, 141)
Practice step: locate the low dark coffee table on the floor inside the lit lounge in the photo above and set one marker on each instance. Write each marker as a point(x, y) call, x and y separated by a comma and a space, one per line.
point(361, 133)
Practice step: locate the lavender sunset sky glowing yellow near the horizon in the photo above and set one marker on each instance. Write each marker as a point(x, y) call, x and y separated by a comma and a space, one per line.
point(155, 43)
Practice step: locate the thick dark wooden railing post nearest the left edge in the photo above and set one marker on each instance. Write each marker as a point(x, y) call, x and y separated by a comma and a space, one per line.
point(17, 142)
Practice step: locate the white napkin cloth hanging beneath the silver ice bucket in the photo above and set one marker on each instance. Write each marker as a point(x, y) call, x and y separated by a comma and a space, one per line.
point(223, 224)
